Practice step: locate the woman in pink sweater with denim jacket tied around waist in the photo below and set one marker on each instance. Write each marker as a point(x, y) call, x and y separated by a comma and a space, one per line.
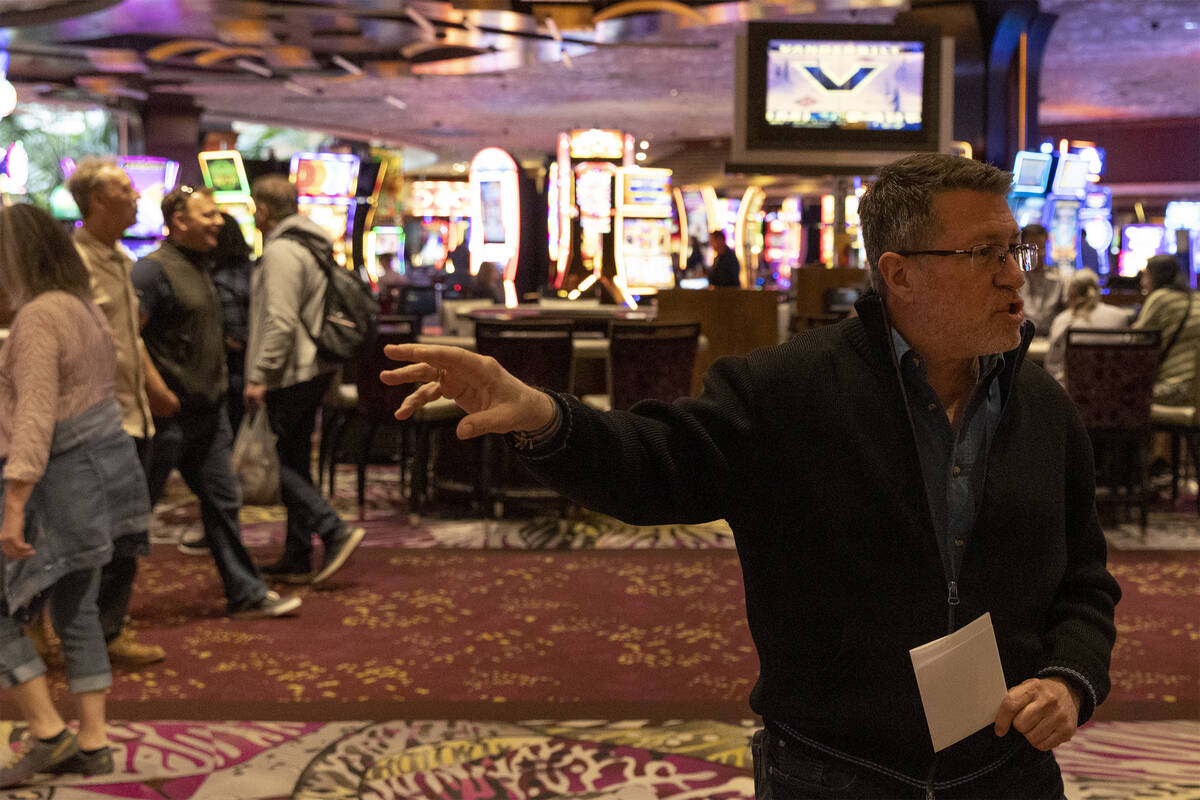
point(73, 484)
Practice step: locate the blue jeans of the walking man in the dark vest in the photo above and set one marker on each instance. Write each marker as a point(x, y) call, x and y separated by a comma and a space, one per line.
point(200, 444)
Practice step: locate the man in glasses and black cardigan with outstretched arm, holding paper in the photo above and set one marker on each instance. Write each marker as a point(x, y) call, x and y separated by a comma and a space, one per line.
point(934, 478)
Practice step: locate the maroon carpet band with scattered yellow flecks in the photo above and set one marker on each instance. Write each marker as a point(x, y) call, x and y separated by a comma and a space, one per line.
point(509, 635)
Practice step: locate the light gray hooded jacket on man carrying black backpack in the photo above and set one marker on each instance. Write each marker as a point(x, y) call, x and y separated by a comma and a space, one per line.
point(287, 296)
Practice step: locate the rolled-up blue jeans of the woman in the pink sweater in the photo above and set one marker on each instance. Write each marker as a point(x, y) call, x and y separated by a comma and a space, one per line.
point(76, 617)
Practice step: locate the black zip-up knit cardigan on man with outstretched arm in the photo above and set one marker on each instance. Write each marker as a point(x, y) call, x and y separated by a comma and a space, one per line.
point(808, 450)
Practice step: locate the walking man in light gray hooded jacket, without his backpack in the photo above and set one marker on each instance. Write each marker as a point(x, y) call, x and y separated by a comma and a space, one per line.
point(286, 377)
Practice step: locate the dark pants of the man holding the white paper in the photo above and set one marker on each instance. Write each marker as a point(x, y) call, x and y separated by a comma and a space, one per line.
point(785, 771)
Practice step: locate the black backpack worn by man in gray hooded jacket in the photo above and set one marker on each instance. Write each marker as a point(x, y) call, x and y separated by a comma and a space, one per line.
point(351, 316)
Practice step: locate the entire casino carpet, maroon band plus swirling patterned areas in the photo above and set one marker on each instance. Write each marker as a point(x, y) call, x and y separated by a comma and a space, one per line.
point(596, 661)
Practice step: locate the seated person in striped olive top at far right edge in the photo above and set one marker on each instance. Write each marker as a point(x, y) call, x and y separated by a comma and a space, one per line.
point(1173, 309)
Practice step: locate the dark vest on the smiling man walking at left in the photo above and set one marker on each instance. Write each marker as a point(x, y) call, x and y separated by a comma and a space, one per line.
point(185, 339)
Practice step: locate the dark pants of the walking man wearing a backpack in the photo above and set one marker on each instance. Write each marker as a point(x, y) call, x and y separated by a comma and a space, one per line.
point(292, 412)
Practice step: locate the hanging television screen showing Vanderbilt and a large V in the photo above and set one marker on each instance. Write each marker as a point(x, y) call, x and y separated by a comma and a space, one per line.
point(839, 99)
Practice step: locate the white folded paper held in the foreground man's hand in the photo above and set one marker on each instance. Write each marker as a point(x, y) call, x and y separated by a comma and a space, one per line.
point(962, 682)
